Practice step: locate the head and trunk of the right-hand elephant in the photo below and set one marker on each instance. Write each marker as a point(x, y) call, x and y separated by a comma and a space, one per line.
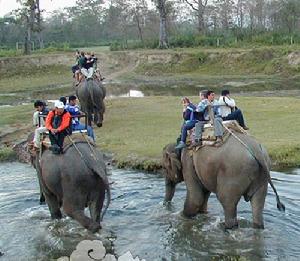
point(173, 170)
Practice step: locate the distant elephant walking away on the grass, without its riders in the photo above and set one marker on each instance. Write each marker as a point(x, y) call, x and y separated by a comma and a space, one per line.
point(91, 94)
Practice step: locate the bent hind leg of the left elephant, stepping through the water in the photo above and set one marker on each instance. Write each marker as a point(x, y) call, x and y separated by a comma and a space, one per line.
point(73, 206)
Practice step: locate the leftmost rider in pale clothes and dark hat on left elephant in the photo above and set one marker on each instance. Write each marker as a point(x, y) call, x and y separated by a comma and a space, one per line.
point(39, 122)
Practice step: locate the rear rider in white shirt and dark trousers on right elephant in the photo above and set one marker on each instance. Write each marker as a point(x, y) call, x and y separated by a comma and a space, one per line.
point(228, 111)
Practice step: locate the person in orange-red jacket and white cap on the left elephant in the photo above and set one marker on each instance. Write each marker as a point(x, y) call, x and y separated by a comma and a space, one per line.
point(58, 123)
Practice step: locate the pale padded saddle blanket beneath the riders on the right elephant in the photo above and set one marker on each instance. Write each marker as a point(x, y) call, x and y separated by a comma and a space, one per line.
point(208, 137)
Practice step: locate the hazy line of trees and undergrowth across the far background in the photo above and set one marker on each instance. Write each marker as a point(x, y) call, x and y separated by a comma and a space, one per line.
point(152, 24)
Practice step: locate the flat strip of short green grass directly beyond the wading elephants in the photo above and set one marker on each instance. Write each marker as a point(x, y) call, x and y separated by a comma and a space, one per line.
point(135, 130)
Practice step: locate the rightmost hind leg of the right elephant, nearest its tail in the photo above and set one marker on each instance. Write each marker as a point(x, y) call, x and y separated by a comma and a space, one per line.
point(257, 204)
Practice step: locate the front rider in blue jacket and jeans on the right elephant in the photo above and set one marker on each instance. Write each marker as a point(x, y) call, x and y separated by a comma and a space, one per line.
point(190, 119)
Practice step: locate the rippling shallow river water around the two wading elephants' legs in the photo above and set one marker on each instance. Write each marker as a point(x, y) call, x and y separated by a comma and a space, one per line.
point(138, 221)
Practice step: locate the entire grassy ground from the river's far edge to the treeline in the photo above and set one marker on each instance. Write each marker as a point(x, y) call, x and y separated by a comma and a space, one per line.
point(136, 129)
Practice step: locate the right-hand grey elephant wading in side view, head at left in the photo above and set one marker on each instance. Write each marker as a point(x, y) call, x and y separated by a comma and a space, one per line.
point(230, 171)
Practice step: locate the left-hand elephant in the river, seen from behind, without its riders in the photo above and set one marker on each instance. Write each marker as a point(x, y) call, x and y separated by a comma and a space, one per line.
point(74, 180)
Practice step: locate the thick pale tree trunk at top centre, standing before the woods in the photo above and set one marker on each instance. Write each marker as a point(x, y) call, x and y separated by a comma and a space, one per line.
point(163, 38)
